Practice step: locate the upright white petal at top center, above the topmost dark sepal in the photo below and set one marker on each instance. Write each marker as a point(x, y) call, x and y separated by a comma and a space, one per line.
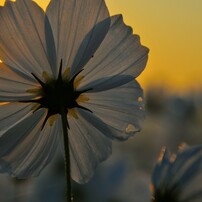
point(78, 27)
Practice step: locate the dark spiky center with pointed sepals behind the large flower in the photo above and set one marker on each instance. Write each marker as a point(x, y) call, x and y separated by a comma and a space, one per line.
point(57, 95)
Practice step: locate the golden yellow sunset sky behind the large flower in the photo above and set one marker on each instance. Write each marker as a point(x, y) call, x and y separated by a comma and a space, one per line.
point(172, 29)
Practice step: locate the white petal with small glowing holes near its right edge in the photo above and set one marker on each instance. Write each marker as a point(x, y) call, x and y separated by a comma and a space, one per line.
point(122, 109)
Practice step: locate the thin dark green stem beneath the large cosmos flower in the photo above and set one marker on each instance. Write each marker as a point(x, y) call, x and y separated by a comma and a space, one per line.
point(67, 156)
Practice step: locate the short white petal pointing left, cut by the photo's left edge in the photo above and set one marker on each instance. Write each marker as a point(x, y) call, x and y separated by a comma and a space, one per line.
point(14, 85)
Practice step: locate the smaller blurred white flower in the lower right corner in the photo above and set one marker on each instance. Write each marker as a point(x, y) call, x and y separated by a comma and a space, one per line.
point(177, 178)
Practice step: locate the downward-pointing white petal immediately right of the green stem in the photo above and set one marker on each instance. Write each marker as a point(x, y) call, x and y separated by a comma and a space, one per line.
point(88, 147)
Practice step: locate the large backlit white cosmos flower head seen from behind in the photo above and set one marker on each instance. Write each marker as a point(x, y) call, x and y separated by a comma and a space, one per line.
point(75, 54)
